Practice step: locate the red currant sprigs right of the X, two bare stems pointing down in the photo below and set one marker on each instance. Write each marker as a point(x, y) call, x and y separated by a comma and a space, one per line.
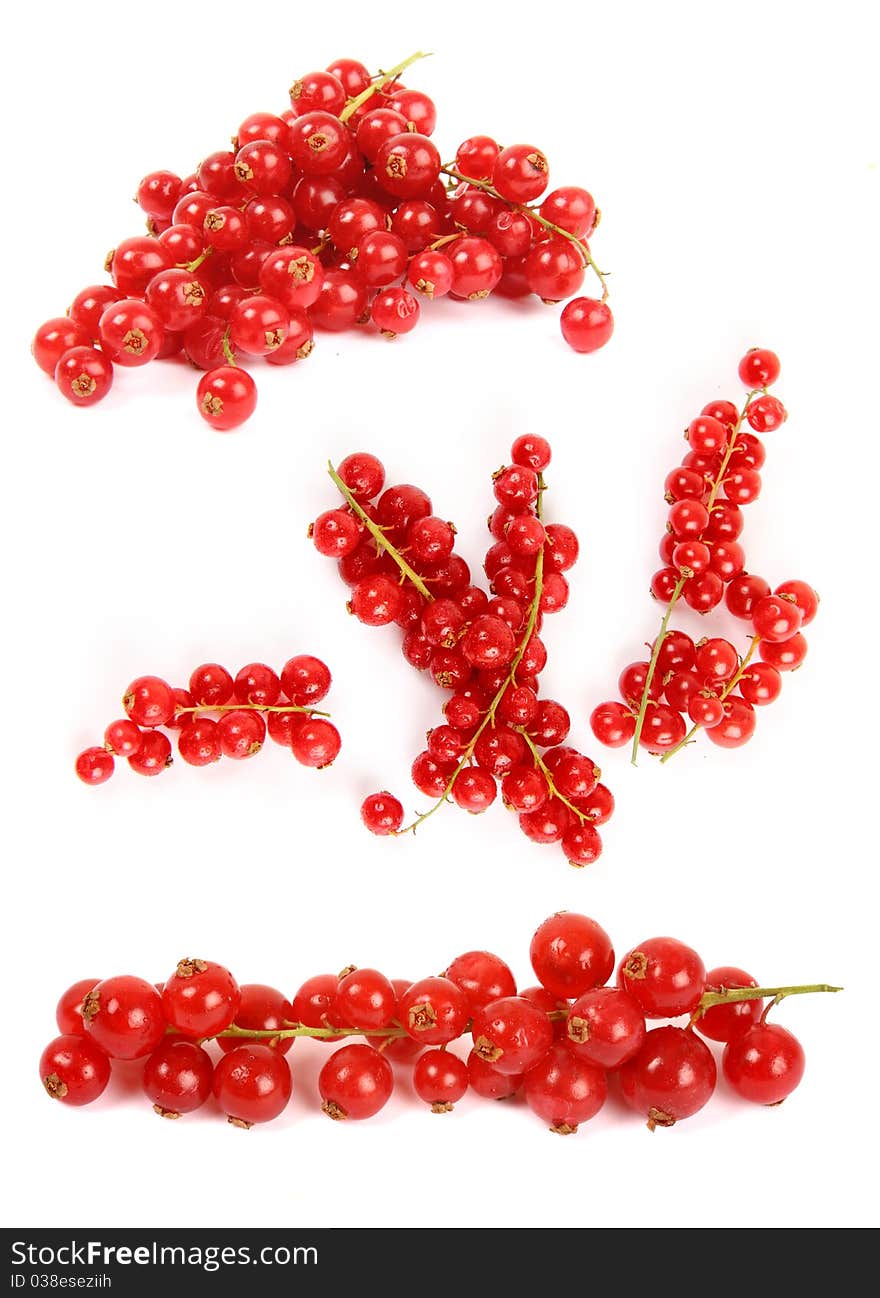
point(689, 687)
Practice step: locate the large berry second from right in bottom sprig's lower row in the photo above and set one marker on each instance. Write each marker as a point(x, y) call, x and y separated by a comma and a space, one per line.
point(672, 1078)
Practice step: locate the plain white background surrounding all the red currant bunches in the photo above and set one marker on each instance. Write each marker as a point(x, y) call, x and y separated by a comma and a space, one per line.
point(734, 154)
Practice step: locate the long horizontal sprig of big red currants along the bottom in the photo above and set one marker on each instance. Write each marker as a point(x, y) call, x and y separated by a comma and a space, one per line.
point(560, 1044)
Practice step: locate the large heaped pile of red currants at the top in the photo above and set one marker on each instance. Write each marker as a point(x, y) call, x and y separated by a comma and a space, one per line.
point(336, 214)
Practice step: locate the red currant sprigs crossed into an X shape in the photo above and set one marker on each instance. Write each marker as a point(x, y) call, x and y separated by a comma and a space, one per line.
point(483, 650)
